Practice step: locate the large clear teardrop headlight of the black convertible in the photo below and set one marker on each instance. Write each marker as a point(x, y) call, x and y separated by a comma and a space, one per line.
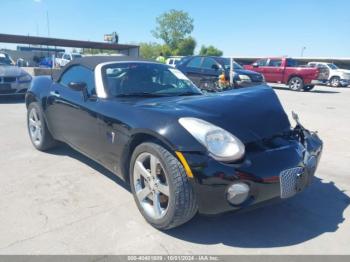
point(221, 145)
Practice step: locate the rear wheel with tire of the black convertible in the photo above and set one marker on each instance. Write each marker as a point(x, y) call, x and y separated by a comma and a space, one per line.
point(37, 129)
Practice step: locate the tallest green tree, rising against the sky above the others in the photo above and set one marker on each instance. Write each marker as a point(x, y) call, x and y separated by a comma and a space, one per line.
point(173, 27)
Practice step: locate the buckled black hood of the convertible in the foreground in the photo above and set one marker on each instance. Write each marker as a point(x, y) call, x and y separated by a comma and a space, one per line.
point(251, 114)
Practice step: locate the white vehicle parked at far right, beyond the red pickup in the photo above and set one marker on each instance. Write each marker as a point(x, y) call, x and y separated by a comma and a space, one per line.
point(336, 77)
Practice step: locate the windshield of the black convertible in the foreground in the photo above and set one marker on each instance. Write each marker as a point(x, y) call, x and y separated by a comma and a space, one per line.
point(146, 79)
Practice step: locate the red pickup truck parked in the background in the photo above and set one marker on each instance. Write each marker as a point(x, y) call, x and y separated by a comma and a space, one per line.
point(286, 71)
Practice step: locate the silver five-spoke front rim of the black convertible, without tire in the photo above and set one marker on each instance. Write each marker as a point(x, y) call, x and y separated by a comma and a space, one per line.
point(151, 185)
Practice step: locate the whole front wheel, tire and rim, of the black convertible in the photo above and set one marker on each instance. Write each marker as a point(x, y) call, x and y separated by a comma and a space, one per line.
point(175, 209)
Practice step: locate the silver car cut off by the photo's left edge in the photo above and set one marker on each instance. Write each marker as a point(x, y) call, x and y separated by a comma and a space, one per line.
point(13, 79)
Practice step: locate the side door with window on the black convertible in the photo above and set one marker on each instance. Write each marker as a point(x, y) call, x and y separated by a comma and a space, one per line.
point(71, 114)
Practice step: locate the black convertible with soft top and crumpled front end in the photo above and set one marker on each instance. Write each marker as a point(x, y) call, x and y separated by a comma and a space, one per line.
point(181, 150)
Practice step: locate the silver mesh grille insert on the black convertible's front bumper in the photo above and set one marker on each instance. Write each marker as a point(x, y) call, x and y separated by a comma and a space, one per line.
point(288, 181)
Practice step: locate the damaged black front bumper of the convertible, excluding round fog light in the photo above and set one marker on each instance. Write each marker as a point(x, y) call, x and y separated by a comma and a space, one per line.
point(276, 168)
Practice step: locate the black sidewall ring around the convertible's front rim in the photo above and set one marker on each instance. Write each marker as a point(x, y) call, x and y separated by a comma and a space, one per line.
point(152, 148)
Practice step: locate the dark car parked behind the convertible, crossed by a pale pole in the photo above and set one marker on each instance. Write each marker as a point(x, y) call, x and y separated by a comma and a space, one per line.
point(203, 69)
